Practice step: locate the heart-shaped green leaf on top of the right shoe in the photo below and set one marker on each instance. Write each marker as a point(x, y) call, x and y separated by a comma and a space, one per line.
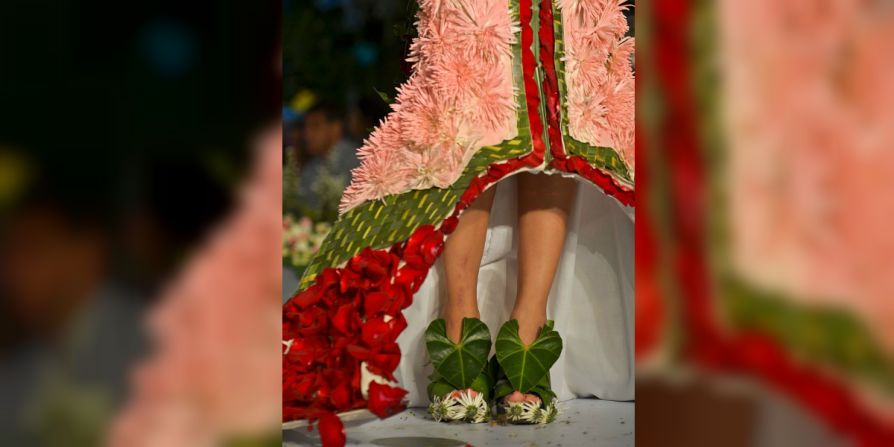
point(525, 366)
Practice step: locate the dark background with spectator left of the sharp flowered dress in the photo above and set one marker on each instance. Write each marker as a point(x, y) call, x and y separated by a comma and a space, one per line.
point(342, 61)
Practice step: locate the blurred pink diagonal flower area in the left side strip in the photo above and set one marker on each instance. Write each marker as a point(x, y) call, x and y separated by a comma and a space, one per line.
point(215, 372)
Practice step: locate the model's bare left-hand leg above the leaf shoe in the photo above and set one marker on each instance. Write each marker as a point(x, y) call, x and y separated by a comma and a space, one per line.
point(462, 258)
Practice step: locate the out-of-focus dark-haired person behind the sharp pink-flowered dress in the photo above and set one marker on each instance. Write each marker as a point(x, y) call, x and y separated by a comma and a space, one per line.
point(330, 157)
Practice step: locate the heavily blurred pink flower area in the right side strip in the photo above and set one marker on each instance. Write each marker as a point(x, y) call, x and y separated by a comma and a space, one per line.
point(808, 106)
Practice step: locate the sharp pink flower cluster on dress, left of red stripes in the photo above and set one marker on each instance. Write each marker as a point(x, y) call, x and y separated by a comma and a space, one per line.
point(458, 99)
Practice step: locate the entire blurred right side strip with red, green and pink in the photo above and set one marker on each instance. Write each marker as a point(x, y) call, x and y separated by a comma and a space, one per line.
point(763, 259)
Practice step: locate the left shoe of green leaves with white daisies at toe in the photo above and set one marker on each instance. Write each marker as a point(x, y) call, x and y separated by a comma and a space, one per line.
point(460, 388)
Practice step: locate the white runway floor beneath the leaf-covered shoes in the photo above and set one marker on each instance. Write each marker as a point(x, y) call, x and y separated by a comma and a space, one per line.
point(581, 422)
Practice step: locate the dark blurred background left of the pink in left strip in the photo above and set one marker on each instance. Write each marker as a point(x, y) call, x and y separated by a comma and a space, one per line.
point(125, 132)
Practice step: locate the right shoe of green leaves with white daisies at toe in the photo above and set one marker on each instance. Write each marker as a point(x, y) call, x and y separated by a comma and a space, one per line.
point(525, 368)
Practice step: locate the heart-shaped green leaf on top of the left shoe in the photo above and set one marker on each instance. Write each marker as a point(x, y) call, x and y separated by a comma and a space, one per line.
point(459, 364)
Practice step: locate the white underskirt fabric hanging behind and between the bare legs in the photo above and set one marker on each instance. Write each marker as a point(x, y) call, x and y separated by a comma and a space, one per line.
point(591, 301)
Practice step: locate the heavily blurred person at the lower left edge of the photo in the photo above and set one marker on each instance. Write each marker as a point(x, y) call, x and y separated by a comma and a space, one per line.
point(75, 332)
